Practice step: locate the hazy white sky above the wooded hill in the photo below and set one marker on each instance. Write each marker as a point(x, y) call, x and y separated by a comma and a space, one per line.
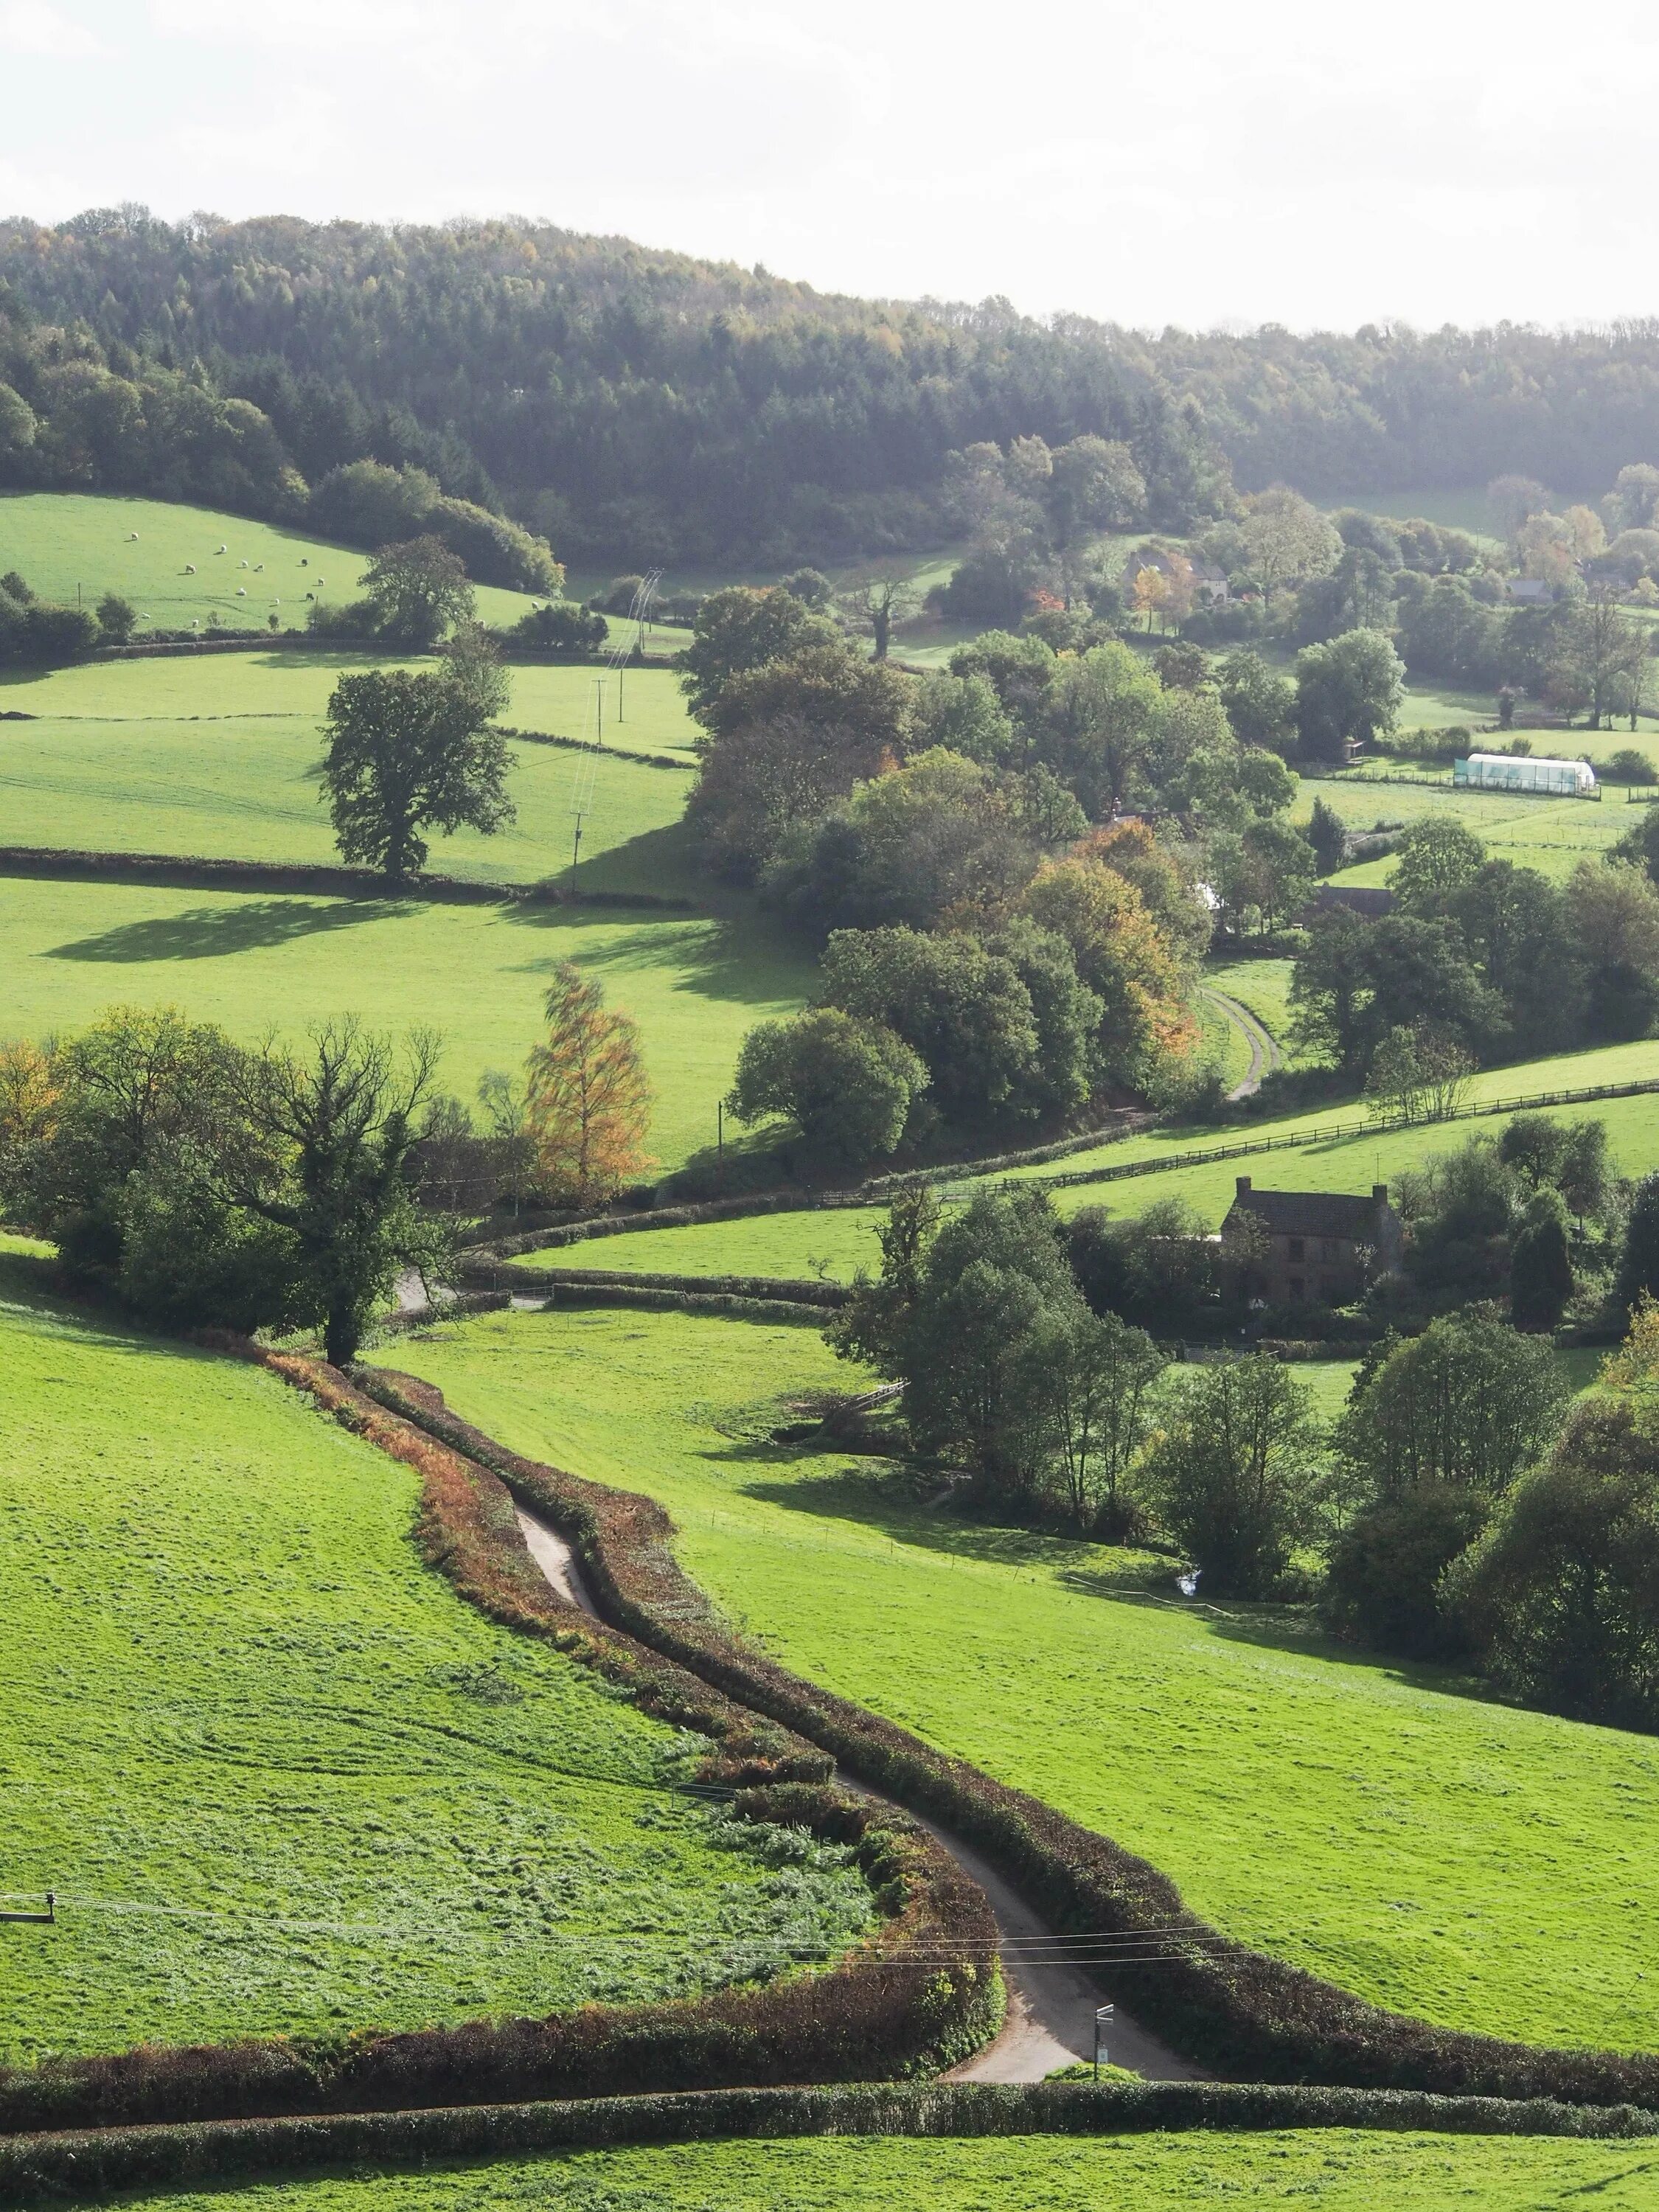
point(1269, 160)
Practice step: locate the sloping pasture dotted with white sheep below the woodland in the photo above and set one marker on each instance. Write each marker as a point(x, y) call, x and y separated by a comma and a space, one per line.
point(61, 541)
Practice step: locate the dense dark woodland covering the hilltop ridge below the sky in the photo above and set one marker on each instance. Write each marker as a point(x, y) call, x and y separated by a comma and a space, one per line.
point(629, 401)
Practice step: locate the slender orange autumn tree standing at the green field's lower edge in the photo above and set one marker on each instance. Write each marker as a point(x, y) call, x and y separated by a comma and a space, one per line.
point(589, 1100)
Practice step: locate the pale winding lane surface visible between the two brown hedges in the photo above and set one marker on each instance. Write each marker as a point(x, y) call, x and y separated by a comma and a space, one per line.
point(1052, 2005)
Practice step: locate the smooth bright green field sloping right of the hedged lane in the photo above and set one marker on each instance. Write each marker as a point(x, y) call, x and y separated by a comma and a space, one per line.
point(1430, 1850)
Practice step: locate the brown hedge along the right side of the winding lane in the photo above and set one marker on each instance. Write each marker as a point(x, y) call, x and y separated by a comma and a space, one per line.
point(1215, 2001)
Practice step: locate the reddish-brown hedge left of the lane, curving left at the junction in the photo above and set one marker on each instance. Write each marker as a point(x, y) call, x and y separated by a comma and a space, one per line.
point(921, 1992)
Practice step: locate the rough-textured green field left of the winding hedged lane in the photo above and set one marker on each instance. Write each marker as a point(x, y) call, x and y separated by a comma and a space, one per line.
point(280, 1775)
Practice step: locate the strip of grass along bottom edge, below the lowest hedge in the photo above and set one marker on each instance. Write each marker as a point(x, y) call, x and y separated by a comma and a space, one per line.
point(1322, 2169)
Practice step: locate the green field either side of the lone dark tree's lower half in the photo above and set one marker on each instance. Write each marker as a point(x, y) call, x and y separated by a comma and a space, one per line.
point(249, 791)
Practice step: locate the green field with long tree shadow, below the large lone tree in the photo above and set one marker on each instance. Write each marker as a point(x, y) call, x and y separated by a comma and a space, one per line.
point(477, 974)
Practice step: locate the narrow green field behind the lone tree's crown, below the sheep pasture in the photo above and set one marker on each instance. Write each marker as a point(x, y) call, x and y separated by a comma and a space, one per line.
point(278, 685)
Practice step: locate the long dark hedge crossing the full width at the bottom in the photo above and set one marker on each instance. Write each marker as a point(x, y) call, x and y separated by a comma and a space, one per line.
point(52, 2167)
